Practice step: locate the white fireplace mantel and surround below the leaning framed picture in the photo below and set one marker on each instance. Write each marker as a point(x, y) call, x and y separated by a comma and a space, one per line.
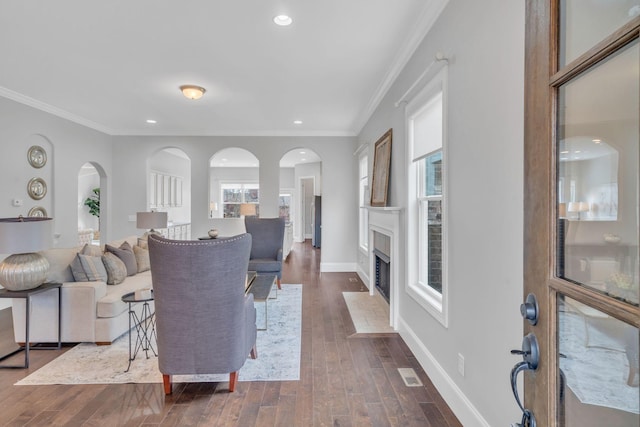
point(386, 220)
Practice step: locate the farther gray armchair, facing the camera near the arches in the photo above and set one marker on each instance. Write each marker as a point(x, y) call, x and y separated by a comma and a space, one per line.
point(266, 247)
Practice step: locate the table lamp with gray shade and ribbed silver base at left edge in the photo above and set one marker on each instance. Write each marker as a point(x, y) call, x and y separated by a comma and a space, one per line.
point(23, 237)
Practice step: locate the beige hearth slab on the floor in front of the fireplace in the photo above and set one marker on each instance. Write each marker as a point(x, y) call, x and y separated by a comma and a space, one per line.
point(369, 313)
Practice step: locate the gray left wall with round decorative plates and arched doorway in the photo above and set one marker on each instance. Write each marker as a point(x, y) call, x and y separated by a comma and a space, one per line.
point(69, 146)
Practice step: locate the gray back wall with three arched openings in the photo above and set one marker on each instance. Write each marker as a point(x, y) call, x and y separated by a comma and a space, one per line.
point(339, 215)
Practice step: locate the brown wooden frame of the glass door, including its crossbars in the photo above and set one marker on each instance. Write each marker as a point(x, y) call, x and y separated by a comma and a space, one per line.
point(540, 225)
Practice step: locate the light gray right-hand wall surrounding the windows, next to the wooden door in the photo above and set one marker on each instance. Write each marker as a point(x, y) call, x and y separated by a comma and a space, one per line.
point(485, 44)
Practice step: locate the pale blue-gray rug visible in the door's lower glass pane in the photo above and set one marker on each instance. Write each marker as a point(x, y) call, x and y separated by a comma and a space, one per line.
point(597, 375)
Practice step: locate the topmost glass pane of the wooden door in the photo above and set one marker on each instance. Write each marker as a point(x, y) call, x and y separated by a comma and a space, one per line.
point(584, 23)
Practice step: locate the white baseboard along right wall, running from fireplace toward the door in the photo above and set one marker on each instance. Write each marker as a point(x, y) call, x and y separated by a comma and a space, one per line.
point(461, 406)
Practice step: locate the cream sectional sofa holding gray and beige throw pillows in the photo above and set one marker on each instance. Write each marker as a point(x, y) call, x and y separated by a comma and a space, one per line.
point(92, 311)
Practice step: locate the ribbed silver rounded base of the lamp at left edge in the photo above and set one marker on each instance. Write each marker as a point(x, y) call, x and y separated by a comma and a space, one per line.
point(21, 272)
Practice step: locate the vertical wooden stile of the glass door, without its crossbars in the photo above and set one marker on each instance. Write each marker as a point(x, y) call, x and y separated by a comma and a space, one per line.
point(538, 193)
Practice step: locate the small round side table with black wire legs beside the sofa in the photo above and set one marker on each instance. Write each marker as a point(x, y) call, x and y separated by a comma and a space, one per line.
point(145, 326)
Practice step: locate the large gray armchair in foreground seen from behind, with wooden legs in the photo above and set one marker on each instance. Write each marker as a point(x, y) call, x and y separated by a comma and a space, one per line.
point(204, 321)
